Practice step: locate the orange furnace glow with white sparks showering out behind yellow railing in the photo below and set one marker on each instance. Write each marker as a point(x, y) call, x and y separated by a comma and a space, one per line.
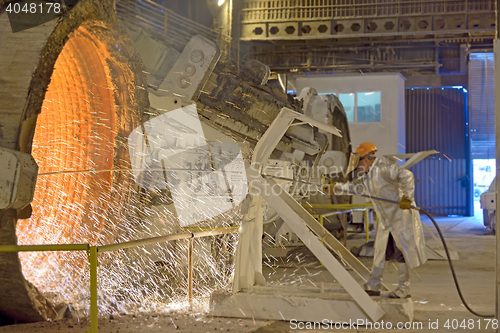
point(80, 130)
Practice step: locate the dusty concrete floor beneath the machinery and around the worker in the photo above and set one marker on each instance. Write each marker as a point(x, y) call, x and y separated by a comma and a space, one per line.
point(434, 295)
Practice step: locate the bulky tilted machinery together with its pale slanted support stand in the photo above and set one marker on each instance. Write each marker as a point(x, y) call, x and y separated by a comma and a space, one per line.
point(216, 136)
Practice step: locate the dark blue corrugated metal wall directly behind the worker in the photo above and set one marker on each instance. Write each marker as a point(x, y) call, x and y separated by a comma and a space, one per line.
point(436, 119)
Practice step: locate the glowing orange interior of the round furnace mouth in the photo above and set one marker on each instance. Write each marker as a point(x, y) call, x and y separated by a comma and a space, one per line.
point(75, 131)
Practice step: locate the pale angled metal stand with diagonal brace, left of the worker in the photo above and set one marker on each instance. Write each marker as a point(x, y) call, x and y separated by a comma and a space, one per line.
point(306, 227)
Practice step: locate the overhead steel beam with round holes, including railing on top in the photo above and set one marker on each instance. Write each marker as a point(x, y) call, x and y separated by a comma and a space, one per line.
point(313, 19)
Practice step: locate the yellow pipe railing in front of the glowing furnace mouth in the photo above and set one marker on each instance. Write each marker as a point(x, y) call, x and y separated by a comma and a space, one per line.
point(93, 251)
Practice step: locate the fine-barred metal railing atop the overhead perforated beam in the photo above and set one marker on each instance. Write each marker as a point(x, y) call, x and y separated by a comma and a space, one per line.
point(256, 11)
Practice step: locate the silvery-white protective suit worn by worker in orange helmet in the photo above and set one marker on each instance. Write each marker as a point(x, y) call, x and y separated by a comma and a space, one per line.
point(391, 182)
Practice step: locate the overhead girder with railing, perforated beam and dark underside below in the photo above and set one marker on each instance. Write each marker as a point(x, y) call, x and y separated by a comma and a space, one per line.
point(426, 40)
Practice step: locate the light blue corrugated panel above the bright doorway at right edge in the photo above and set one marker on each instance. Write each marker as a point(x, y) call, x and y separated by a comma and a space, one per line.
point(482, 104)
